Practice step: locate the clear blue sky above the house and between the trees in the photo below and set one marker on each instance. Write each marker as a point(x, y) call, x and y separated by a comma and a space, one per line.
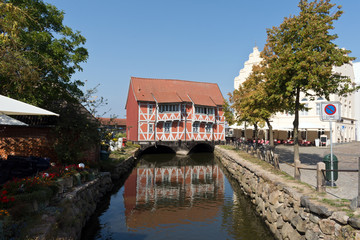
point(195, 40)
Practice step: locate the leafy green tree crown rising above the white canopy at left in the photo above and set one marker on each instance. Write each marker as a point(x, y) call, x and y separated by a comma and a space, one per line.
point(39, 54)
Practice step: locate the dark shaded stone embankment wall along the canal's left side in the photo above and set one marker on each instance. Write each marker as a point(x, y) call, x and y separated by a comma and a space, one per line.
point(76, 207)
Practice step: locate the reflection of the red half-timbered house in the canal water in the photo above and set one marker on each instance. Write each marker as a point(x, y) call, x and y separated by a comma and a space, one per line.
point(169, 195)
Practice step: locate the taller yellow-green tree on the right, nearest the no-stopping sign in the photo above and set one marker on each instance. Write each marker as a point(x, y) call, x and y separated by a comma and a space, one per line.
point(300, 55)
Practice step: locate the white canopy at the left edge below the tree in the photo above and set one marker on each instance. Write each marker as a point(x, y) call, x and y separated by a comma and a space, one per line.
point(11, 106)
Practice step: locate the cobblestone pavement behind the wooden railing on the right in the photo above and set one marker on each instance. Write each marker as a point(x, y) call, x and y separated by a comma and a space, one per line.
point(347, 154)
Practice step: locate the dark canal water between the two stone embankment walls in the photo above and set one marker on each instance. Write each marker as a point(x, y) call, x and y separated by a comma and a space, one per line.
point(172, 197)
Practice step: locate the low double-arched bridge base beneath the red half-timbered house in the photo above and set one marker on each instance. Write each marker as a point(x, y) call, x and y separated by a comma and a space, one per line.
point(178, 147)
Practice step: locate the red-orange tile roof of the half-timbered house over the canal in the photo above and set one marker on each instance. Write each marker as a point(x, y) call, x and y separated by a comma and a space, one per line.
point(172, 91)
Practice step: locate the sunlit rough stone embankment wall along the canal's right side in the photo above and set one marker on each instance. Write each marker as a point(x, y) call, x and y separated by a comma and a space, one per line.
point(289, 213)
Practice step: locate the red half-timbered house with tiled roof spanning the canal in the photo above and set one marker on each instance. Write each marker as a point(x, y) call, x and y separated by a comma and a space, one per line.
point(173, 110)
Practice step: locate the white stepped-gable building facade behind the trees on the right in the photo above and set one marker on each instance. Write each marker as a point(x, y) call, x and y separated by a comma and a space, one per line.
point(310, 125)
